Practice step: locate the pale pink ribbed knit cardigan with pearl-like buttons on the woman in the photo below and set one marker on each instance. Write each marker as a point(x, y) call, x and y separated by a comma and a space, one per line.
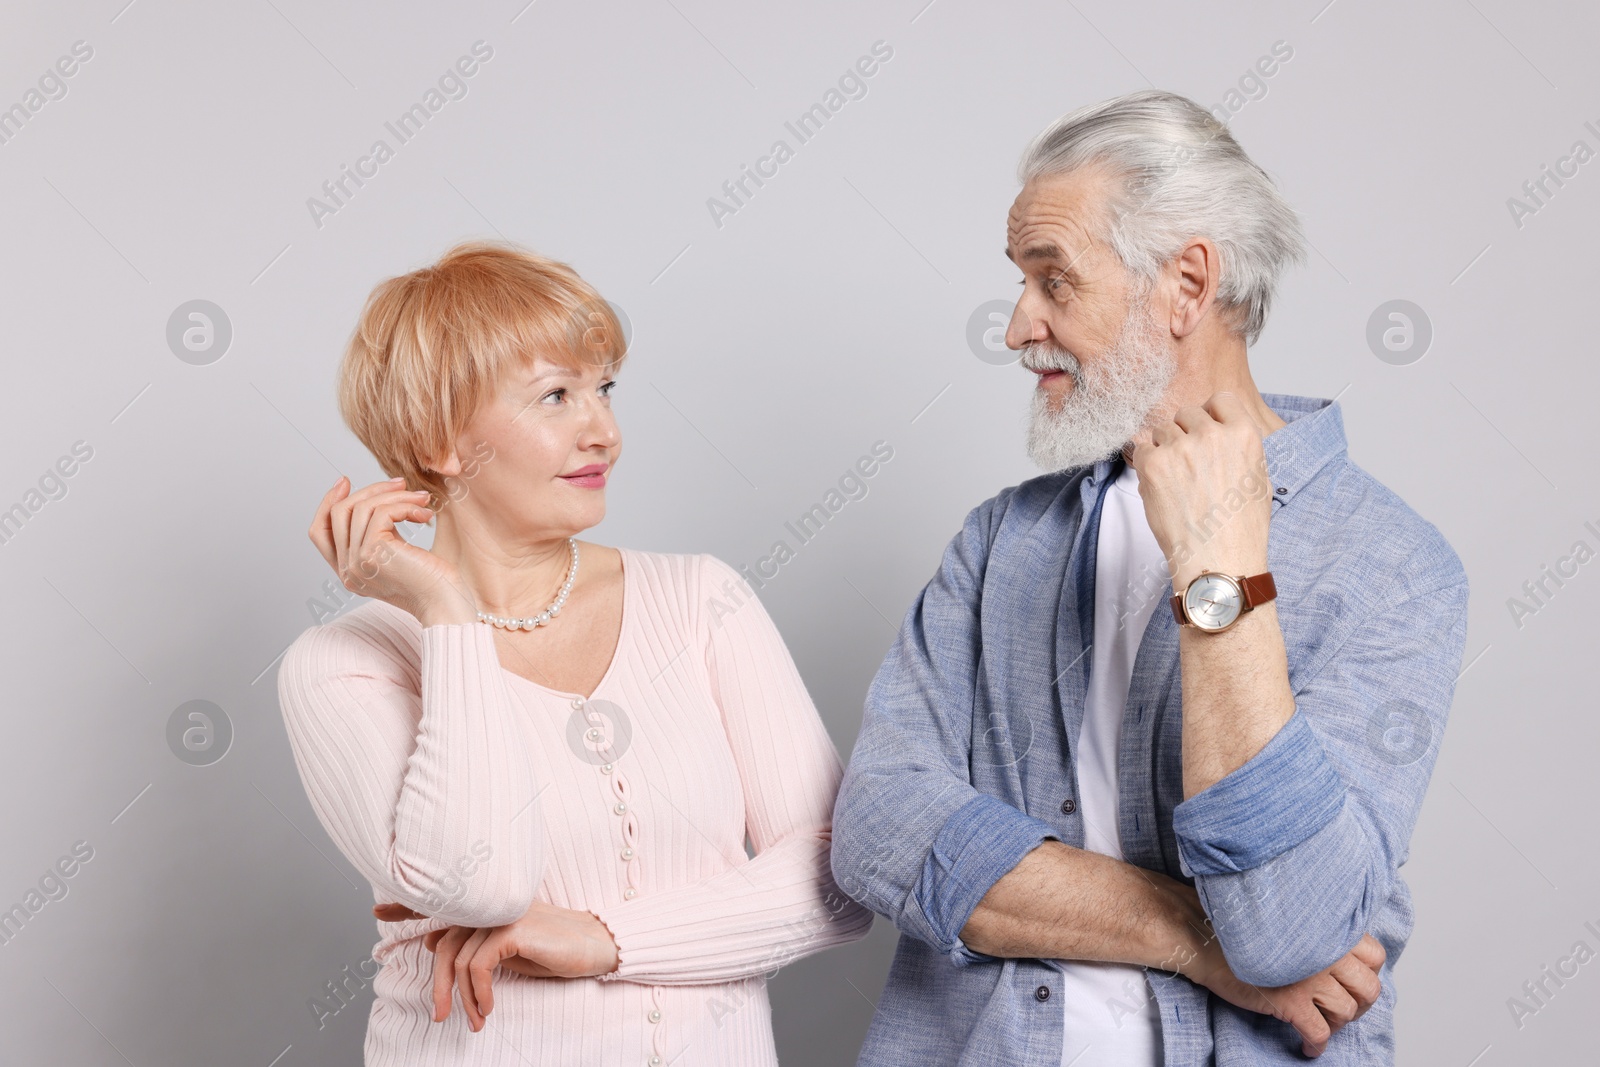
point(465, 793)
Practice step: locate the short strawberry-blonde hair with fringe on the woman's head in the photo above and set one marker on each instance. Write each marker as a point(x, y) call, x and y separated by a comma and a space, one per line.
point(431, 348)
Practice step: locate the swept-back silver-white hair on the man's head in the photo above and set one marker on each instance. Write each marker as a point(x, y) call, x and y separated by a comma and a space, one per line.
point(1180, 175)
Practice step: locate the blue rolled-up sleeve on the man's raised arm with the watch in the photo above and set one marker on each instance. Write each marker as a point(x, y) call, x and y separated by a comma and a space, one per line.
point(1297, 850)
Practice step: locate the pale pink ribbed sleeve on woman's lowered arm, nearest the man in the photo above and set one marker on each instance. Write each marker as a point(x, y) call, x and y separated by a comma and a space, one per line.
point(783, 905)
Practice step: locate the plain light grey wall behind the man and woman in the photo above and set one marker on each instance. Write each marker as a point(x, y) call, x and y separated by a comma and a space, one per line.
point(769, 354)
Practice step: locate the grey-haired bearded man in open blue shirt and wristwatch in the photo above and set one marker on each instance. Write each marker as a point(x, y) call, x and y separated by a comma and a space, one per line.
point(1138, 775)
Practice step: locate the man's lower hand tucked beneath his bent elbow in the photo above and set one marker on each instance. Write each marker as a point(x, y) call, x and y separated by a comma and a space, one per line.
point(1316, 1007)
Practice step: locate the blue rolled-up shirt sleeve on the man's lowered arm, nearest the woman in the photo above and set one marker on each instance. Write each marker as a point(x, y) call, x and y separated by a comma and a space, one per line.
point(913, 839)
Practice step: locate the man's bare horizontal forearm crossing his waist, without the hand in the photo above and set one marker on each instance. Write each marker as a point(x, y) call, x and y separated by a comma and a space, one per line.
point(1063, 903)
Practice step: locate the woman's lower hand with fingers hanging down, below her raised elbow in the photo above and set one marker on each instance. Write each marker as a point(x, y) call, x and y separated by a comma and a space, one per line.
point(548, 941)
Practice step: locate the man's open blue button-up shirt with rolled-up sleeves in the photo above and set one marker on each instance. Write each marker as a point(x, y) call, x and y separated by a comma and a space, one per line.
point(967, 761)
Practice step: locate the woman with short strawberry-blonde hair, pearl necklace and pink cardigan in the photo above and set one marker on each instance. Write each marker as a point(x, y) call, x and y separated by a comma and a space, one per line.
point(546, 754)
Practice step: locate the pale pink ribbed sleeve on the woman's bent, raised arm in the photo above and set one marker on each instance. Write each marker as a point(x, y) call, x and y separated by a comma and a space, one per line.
point(420, 773)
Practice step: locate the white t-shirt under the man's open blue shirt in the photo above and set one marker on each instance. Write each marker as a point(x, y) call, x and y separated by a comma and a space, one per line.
point(1111, 1012)
